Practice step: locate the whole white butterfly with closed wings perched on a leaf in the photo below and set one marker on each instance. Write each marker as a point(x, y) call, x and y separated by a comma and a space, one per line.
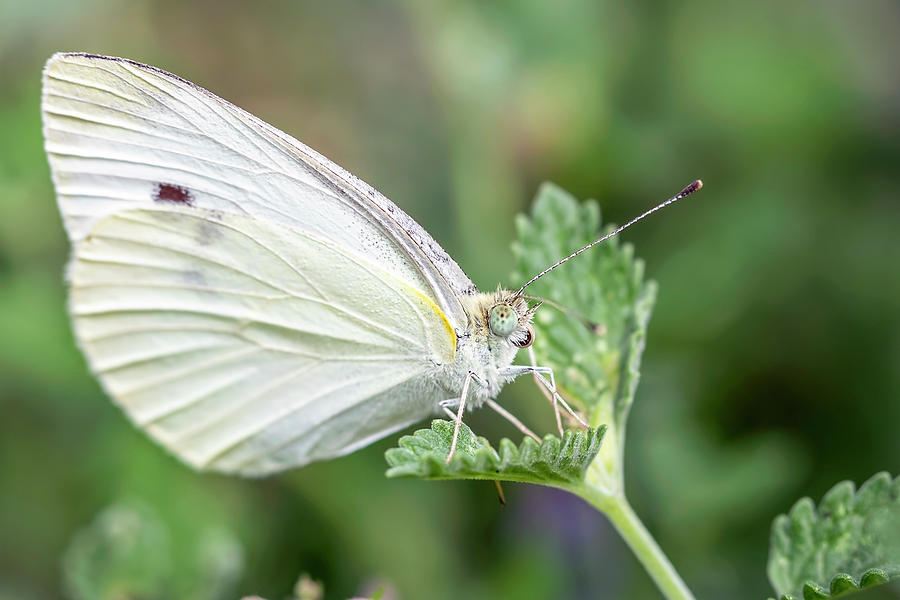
point(250, 304)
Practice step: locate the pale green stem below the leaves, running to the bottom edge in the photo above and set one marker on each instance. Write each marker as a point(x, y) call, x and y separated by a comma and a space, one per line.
point(632, 530)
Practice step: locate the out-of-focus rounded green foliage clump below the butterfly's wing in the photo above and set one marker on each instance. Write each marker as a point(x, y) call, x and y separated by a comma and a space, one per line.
point(127, 552)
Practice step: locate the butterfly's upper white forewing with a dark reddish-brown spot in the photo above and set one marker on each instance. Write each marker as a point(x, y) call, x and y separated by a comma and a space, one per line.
point(120, 135)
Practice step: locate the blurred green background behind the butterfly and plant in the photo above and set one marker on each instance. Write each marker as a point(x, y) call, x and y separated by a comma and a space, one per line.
point(772, 365)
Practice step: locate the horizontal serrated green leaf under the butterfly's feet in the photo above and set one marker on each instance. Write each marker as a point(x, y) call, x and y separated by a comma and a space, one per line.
point(555, 462)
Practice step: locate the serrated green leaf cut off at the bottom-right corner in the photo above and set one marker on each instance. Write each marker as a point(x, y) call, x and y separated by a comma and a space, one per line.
point(851, 541)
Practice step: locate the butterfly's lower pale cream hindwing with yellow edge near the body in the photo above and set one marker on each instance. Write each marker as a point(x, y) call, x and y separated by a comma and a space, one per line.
point(243, 346)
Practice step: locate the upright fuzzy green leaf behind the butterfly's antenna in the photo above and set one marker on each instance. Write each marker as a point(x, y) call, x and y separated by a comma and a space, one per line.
point(595, 355)
